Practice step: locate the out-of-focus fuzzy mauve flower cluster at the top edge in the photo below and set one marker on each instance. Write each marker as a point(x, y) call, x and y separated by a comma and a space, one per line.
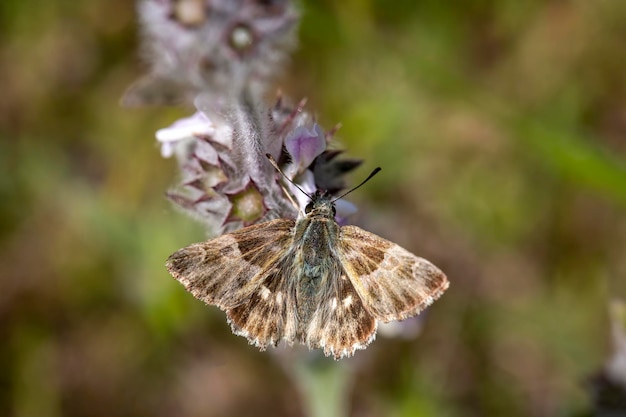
point(221, 46)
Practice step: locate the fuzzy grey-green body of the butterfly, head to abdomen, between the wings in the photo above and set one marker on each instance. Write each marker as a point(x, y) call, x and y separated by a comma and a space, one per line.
point(317, 234)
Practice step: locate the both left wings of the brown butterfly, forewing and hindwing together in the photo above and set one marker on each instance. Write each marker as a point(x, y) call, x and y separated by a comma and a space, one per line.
point(241, 273)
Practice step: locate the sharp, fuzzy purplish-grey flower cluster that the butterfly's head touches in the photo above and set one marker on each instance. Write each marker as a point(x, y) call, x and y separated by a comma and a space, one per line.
point(226, 180)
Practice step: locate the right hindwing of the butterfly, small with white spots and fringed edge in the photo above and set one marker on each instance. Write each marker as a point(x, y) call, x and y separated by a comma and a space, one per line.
point(341, 324)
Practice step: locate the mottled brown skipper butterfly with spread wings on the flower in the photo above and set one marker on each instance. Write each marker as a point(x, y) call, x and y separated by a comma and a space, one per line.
point(308, 281)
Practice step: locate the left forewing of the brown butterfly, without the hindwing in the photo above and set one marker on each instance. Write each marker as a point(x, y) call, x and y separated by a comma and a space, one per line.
point(213, 271)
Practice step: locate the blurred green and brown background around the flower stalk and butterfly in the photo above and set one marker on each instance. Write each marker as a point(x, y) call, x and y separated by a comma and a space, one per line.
point(500, 127)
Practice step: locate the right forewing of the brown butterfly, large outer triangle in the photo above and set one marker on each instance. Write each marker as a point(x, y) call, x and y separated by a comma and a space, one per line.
point(393, 283)
